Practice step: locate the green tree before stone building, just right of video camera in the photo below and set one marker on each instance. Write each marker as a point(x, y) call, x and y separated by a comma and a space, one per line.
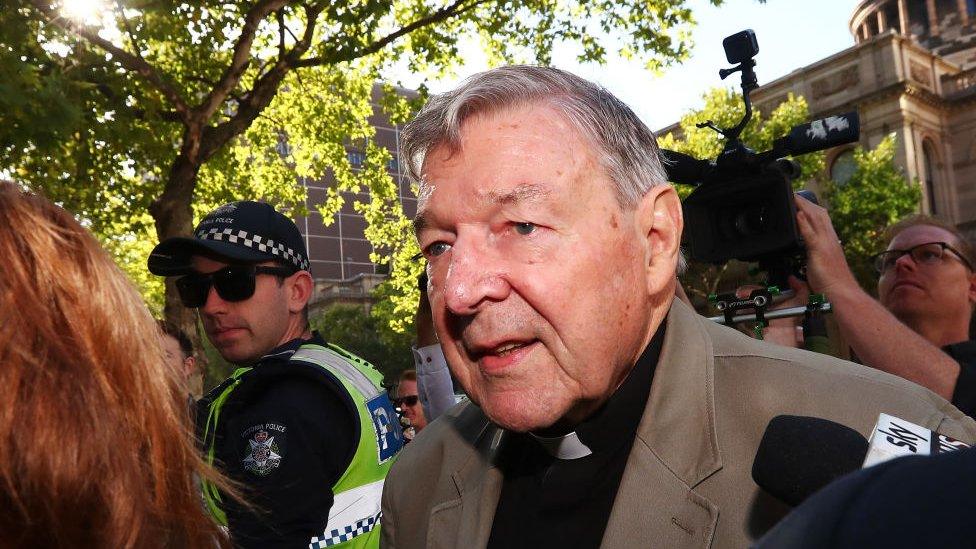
point(861, 208)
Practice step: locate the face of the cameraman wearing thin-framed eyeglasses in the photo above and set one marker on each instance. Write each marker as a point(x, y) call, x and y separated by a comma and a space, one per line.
point(943, 292)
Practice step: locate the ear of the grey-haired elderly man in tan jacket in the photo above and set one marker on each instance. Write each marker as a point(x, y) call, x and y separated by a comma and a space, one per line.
point(660, 220)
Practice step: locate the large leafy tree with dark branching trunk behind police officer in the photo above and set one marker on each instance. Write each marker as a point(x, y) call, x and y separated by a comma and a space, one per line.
point(176, 106)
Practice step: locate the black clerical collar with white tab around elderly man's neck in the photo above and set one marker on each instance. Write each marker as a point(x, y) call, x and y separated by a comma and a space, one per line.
point(616, 421)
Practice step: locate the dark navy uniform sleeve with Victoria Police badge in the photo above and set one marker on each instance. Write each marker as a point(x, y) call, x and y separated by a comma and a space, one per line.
point(287, 437)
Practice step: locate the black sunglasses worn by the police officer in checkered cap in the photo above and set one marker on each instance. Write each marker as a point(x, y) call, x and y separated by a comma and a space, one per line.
point(233, 283)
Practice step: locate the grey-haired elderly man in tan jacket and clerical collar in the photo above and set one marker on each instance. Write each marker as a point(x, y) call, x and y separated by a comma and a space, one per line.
point(603, 412)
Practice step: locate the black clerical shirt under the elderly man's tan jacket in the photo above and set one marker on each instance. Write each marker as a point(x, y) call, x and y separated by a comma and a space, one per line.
point(551, 502)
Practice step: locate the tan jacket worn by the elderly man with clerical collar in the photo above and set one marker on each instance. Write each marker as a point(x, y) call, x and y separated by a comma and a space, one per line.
point(687, 481)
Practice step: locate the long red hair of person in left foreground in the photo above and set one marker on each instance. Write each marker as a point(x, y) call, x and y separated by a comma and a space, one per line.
point(95, 446)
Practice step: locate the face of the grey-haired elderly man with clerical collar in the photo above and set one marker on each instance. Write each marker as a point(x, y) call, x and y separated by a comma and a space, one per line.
point(539, 281)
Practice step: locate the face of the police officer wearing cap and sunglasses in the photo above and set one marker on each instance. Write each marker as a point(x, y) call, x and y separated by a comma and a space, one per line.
point(244, 331)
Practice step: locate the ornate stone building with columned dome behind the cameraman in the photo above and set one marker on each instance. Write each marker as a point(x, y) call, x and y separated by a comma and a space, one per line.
point(912, 71)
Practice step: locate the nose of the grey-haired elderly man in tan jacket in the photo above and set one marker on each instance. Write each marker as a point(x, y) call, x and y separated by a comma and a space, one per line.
point(475, 276)
